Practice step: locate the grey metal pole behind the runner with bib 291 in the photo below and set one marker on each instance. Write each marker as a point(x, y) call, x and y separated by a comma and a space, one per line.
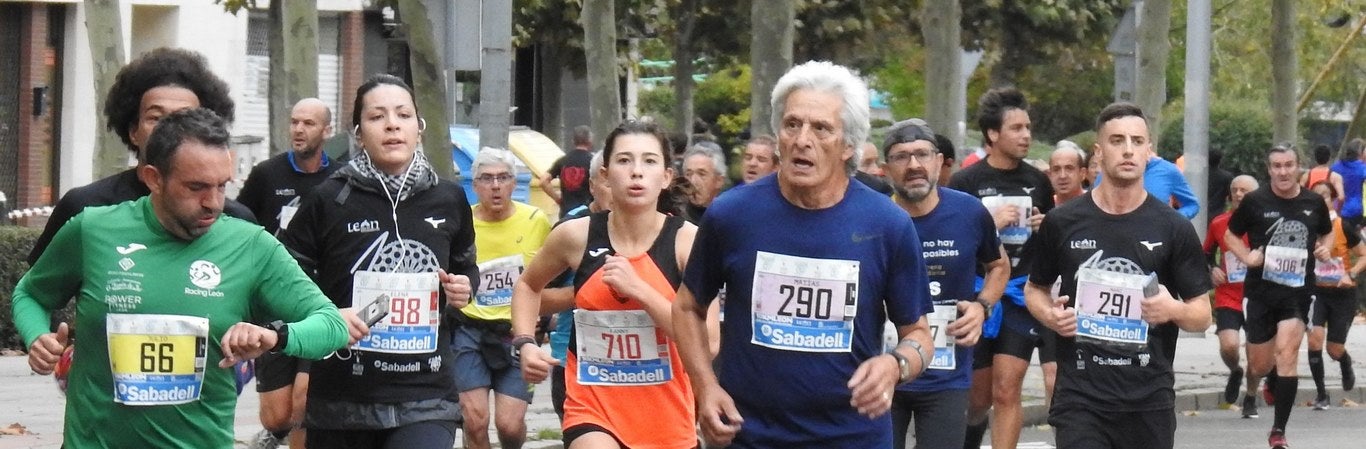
point(1197, 107)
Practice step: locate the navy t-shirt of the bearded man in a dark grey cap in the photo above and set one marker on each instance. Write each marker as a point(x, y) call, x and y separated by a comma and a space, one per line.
point(958, 237)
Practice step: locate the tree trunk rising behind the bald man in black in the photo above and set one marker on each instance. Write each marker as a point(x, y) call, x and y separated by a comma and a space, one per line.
point(296, 25)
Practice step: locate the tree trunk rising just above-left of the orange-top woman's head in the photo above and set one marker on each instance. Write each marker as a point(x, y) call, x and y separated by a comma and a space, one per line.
point(600, 53)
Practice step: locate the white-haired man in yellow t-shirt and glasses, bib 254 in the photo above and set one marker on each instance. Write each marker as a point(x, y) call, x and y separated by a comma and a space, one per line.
point(507, 235)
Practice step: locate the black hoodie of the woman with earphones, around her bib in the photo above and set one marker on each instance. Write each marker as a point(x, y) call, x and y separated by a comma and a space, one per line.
point(348, 224)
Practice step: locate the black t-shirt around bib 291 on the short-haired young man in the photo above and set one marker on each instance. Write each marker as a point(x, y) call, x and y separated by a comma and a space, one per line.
point(1154, 238)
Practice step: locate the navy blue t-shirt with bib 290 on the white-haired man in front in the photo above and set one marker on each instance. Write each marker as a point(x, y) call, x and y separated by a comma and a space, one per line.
point(827, 280)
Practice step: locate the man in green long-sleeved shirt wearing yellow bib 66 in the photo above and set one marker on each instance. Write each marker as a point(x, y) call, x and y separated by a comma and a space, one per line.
point(166, 291)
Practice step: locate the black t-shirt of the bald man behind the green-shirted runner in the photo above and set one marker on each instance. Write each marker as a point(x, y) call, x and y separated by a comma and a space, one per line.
point(275, 184)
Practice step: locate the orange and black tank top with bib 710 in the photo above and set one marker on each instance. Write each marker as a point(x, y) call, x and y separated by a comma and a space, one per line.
point(622, 372)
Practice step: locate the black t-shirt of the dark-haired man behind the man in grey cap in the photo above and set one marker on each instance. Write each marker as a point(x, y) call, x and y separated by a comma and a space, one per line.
point(984, 181)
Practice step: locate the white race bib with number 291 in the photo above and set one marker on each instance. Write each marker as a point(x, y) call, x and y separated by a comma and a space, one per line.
point(1109, 308)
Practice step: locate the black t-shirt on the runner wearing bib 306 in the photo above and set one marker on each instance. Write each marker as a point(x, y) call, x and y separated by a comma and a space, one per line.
point(1287, 224)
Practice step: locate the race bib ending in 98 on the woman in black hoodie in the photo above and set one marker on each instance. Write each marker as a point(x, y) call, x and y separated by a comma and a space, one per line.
point(413, 305)
